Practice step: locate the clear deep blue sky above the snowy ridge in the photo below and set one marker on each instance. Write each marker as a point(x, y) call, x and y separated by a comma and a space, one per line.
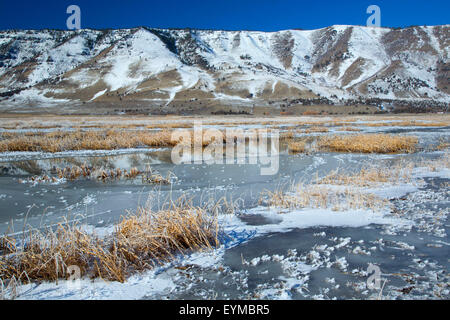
point(264, 15)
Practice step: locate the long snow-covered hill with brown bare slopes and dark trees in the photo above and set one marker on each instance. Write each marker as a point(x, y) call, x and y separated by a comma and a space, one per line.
point(166, 68)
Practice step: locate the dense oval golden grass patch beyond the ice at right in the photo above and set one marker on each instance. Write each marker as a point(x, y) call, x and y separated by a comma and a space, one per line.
point(368, 143)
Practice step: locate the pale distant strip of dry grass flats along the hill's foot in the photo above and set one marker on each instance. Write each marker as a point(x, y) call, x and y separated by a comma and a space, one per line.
point(36, 121)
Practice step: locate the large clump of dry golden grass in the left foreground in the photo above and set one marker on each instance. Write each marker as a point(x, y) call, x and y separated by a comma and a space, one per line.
point(139, 242)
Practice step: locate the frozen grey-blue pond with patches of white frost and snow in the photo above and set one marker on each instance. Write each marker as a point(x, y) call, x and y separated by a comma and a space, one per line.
point(314, 261)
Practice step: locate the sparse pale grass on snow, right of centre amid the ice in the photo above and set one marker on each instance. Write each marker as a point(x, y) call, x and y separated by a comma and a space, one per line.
point(344, 191)
